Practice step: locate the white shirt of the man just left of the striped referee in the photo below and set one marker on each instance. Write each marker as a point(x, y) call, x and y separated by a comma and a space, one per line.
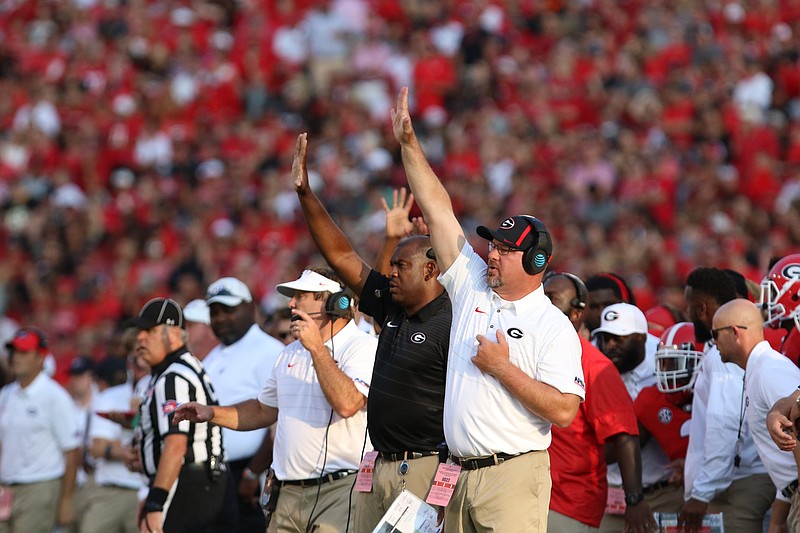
point(114, 472)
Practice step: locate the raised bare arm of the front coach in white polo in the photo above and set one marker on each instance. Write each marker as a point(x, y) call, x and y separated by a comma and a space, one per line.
point(447, 236)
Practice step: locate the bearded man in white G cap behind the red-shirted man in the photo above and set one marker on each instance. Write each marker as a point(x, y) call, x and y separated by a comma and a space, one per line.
point(623, 338)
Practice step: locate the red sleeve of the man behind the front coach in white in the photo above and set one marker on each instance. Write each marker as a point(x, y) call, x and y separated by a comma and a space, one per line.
point(609, 409)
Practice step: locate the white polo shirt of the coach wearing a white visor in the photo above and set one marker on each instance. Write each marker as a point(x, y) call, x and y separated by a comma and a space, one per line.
point(304, 414)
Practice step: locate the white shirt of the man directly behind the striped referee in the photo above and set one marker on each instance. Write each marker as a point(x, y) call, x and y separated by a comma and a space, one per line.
point(238, 372)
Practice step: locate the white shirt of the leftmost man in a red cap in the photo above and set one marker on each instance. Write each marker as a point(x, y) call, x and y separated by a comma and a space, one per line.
point(37, 425)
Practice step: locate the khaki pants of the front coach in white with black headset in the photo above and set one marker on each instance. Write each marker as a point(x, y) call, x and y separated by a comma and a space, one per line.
point(511, 496)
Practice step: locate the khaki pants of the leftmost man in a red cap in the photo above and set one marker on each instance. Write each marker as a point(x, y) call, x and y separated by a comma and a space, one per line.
point(34, 507)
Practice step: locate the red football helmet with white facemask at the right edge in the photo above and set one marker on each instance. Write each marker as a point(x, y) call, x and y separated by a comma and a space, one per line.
point(780, 292)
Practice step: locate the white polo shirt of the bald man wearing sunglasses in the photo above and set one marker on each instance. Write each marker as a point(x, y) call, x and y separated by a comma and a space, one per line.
point(770, 376)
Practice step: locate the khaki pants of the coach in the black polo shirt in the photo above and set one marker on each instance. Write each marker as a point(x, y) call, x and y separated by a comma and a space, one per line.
point(387, 483)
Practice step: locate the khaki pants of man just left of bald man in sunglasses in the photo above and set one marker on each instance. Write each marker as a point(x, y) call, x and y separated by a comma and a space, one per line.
point(744, 503)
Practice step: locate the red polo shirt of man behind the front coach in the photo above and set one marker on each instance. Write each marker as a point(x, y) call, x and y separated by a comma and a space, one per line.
point(577, 454)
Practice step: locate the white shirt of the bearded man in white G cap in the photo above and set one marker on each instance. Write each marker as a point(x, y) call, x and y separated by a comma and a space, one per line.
point(654, 460)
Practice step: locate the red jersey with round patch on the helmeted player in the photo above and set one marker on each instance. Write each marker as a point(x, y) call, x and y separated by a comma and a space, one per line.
point(666, 421)
